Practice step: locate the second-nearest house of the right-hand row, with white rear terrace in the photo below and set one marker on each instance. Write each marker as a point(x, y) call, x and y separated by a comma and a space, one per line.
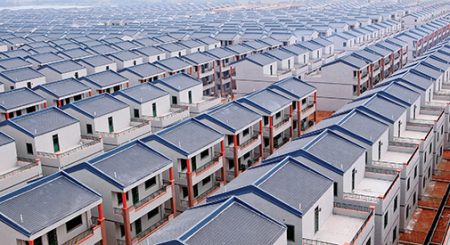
point(308, 211)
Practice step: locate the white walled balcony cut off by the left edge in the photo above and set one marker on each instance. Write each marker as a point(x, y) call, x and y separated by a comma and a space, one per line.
point(25, 170)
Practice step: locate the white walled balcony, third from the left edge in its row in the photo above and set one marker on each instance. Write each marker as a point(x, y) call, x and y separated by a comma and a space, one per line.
point(137, 128)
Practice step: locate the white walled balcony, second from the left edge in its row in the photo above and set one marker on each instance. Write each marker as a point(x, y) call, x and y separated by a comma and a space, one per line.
point(88, 146)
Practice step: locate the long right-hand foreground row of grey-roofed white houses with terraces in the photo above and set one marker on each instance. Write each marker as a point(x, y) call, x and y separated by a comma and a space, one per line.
point(340, 183)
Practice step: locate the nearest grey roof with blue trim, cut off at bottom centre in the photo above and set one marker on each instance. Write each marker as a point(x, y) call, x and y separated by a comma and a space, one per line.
point(215, 214)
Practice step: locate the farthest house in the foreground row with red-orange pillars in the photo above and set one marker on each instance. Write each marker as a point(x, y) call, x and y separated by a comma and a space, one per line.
point(303, 97)
